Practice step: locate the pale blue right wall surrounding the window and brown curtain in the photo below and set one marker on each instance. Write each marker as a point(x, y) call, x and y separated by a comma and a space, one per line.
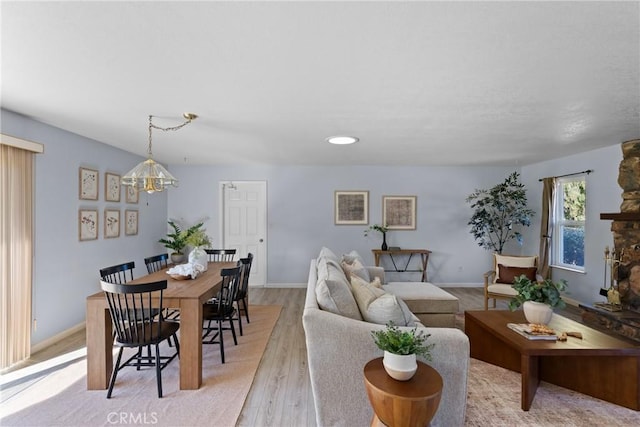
point(603, 195)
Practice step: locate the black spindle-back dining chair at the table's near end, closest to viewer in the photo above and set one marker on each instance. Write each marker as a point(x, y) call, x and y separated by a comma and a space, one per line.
point(127, 305)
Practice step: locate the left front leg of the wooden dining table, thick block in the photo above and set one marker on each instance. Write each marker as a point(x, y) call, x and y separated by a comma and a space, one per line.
point(99, 345)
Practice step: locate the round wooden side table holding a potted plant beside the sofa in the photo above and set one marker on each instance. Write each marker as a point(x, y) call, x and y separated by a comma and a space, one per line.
point(409, 403)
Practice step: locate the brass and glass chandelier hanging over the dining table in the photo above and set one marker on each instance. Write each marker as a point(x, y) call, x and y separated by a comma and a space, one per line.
point(149, 175)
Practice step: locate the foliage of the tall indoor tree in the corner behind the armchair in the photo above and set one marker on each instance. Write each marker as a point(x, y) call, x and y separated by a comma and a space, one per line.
point(497, 211)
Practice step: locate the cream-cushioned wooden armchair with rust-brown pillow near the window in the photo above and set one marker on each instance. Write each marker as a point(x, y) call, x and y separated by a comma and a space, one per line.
point(498, 283)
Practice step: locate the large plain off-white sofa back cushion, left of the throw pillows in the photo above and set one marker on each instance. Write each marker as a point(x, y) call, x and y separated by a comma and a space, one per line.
point(333, 292)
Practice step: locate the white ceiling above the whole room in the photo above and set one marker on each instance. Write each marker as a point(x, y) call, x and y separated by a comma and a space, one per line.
point(420, 83)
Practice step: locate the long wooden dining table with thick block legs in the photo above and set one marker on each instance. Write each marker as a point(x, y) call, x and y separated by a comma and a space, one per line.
point(186, 295)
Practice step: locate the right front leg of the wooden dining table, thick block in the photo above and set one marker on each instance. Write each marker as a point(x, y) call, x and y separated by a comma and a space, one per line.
point(190, 344)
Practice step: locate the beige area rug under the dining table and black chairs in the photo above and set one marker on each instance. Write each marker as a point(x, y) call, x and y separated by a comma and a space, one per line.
point(61, 398)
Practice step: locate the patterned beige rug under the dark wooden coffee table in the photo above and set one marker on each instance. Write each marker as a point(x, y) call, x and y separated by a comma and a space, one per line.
point(493, 399)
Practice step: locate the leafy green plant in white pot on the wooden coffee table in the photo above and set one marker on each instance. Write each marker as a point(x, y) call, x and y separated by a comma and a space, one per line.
point(538, 299)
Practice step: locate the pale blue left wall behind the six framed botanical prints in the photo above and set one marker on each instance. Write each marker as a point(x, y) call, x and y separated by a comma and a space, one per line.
point(66, 270)
